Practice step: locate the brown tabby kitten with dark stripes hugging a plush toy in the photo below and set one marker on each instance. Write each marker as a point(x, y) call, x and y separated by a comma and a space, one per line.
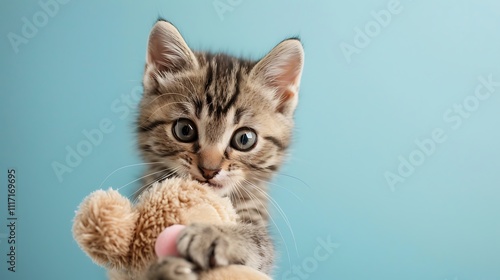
point(223, 121)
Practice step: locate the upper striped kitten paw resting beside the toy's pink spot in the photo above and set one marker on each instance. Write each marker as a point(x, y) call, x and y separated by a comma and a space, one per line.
point(209, 246)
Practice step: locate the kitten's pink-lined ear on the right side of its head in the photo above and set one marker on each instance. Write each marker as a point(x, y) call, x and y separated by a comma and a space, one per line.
point(281, 70)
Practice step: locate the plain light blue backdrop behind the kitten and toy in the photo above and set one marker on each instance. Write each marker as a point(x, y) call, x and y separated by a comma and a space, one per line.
point(357, 116)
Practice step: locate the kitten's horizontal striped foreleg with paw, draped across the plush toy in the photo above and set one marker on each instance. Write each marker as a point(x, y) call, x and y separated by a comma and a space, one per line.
point(209, 246)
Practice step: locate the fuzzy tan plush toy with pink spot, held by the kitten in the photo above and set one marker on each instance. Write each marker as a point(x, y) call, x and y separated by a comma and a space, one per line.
point(127, 239)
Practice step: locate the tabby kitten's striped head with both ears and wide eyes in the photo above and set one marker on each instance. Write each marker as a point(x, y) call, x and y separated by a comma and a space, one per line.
point(216, 118)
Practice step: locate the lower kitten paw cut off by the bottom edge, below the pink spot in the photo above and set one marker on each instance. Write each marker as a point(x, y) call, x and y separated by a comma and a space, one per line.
point(172, 268)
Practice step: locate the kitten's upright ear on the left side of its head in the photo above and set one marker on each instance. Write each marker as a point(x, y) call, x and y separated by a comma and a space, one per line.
point(167, 50)
